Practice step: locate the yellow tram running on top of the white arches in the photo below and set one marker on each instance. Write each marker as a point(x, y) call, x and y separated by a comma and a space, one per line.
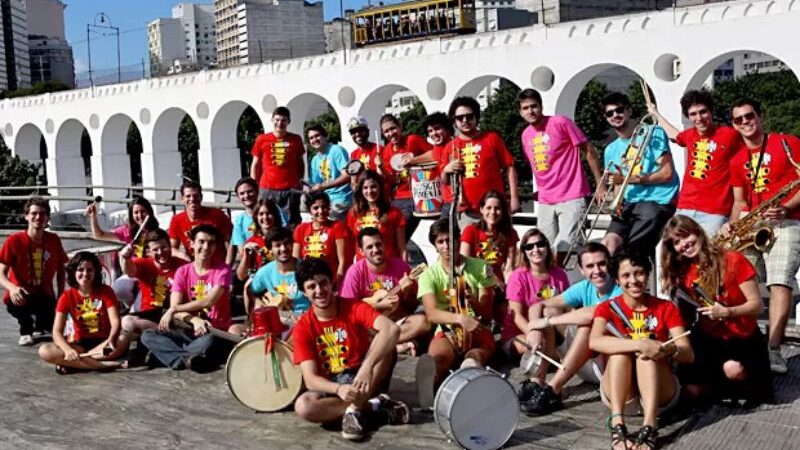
point(412, 20)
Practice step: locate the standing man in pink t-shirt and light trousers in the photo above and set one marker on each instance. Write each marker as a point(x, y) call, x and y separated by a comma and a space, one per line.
point(553, 146)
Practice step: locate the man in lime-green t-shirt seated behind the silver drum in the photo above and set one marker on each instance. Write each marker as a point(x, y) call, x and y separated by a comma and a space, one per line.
point(459, 334)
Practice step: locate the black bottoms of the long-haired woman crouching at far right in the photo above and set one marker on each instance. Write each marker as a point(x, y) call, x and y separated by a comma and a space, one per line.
point(711, 353)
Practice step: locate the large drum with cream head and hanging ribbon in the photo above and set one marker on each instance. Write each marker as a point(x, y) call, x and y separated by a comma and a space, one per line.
point(250, 377)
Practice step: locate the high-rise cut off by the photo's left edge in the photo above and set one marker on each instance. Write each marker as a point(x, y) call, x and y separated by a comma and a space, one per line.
point(15, 68)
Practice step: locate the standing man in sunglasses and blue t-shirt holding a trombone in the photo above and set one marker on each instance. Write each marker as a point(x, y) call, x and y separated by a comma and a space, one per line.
point(649, 199)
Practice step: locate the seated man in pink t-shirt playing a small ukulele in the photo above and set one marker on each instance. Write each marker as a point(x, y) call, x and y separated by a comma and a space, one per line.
point(373, 278)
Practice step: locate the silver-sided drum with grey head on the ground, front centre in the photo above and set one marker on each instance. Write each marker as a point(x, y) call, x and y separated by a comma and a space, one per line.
point(477, 409)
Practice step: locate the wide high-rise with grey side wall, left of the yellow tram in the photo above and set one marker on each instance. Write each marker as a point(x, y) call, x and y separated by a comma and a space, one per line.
point(253, 31)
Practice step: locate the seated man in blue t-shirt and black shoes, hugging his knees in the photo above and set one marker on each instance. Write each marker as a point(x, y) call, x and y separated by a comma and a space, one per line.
point(536, 396)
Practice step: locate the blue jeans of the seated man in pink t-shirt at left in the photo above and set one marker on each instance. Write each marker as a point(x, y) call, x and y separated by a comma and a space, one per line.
point(174, 347)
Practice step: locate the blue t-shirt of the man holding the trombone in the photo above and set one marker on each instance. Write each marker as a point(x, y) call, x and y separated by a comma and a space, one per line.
point(663, 193)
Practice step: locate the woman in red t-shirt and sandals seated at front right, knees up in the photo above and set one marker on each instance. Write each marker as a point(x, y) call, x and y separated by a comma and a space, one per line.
point(639, 362)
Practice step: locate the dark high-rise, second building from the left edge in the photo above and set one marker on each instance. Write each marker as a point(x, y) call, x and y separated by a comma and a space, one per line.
point(50, 54)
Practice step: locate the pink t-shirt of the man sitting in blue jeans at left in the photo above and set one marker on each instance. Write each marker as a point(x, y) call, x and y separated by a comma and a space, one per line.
point(196, 287)
